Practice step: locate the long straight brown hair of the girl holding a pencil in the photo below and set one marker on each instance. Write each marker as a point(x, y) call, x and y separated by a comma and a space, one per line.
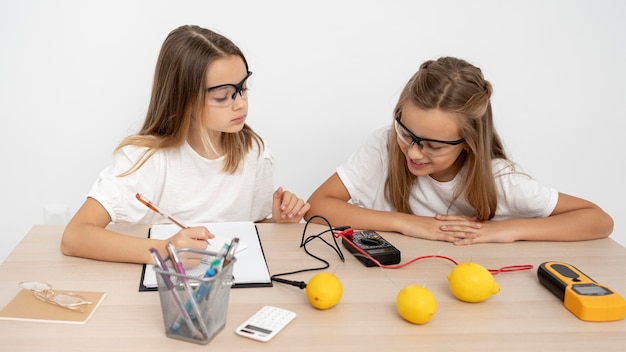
point(178, 96)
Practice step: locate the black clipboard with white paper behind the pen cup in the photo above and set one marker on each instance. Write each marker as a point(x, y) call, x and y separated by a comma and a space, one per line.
point(251, 269)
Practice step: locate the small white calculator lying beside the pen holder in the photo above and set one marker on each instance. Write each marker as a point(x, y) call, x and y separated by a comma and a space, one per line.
point(265, 323)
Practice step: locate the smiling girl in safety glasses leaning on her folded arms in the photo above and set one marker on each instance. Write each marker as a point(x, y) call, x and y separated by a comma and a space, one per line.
point(441, 173)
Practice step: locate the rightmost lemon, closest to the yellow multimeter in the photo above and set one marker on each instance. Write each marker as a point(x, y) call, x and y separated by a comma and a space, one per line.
point(470, 282)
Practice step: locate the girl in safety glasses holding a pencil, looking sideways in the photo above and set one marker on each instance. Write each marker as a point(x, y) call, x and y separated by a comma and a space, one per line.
point(195, 156)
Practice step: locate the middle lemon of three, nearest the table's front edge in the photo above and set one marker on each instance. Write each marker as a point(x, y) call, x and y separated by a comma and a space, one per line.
point(416, 304)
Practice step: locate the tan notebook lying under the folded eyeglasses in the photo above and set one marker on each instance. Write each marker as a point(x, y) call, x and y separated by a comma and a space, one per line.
point(25, 306)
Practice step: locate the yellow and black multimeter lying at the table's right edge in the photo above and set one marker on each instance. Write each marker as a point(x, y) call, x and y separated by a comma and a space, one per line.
point(581, 295)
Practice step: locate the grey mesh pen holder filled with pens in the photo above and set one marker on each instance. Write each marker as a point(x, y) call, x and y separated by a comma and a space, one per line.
point(195, 304)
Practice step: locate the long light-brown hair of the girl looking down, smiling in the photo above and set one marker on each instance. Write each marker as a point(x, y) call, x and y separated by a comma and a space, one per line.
point(456, 86)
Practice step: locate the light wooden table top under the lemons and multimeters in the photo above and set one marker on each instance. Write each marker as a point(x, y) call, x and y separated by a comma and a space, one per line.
point(523, 316)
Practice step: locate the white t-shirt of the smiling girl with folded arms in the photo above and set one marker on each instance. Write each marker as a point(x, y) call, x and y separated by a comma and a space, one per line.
point(365, 172)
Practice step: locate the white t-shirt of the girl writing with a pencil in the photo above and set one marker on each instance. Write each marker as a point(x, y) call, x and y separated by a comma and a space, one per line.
point(189, 187)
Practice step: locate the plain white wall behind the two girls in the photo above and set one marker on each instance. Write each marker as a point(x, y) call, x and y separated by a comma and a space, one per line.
point(75, 78)
